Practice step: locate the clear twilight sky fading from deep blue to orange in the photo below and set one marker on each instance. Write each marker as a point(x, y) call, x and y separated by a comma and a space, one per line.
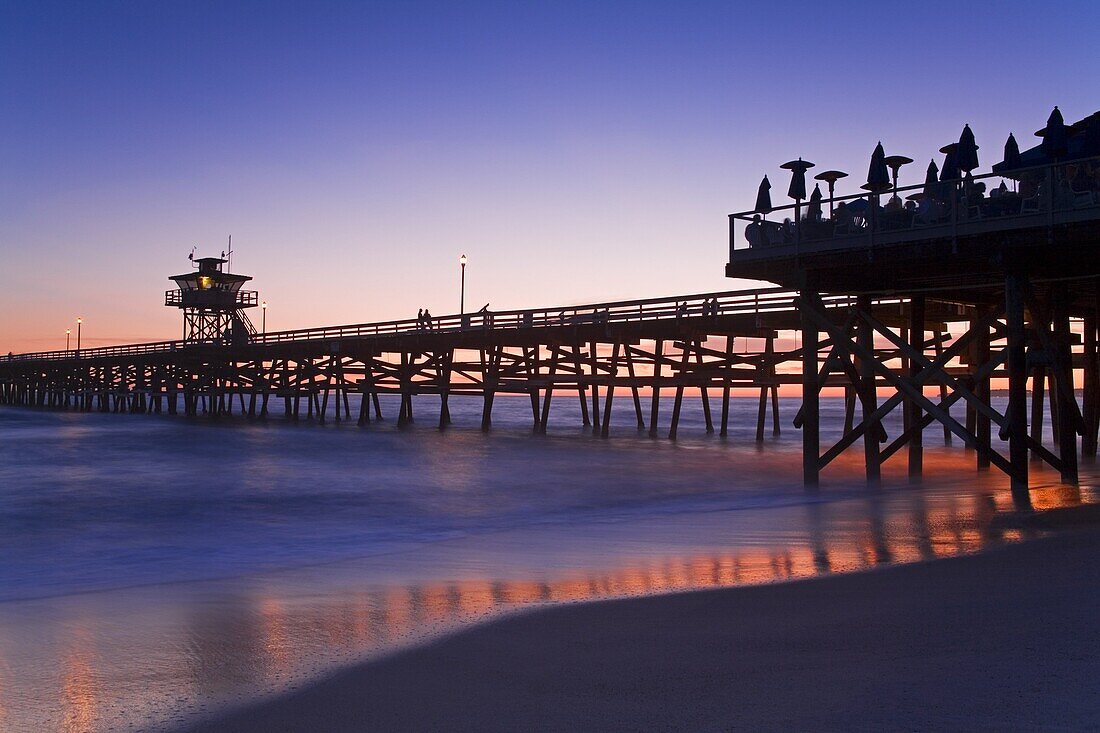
point(576, 152)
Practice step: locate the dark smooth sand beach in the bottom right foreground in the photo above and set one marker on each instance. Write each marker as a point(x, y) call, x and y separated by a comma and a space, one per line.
point(1006, 640)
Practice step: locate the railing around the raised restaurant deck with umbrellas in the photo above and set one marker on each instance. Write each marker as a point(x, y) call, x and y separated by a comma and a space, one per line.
point(1032, 196)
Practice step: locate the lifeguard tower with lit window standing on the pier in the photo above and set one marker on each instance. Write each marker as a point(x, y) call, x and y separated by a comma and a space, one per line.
point(214, 304)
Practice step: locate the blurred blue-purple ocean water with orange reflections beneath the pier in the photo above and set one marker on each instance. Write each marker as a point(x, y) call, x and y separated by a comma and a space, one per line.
point(155, 570)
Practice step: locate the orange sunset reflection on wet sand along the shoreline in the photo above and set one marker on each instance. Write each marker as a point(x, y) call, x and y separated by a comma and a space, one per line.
point(269, 636)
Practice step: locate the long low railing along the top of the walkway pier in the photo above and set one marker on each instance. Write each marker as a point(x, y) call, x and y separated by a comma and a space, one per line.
point(762, 301)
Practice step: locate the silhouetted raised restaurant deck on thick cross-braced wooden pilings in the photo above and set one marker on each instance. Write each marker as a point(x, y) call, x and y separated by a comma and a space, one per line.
point(1025, 261)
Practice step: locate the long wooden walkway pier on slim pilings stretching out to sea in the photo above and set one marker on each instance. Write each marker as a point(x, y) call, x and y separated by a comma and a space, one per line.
point(694, 347)
